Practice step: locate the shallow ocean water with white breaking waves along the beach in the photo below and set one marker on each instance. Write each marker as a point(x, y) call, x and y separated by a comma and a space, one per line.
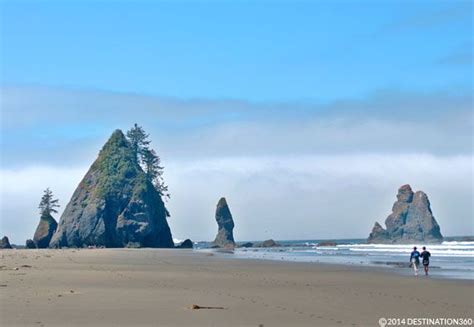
point(453, 259)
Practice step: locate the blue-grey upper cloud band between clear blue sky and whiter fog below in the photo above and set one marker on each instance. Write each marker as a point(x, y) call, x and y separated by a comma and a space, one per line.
point(45, 123)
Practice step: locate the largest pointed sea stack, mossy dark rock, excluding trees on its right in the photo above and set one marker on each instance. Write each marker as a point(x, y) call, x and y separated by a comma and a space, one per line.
point(115, 205)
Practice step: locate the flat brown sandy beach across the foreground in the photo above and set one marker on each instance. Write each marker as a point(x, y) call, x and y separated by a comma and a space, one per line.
point(148, 287)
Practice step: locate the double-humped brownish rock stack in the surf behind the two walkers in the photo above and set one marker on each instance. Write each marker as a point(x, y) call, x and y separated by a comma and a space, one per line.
point(411, 221)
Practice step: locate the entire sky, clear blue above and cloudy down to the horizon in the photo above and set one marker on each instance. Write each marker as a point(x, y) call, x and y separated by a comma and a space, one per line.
point(306, 115)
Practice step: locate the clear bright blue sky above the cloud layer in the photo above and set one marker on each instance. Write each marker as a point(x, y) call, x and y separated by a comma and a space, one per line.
point(259, 51)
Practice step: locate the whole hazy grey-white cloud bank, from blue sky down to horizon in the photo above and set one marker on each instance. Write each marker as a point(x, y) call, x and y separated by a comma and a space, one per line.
point(288, 170)
